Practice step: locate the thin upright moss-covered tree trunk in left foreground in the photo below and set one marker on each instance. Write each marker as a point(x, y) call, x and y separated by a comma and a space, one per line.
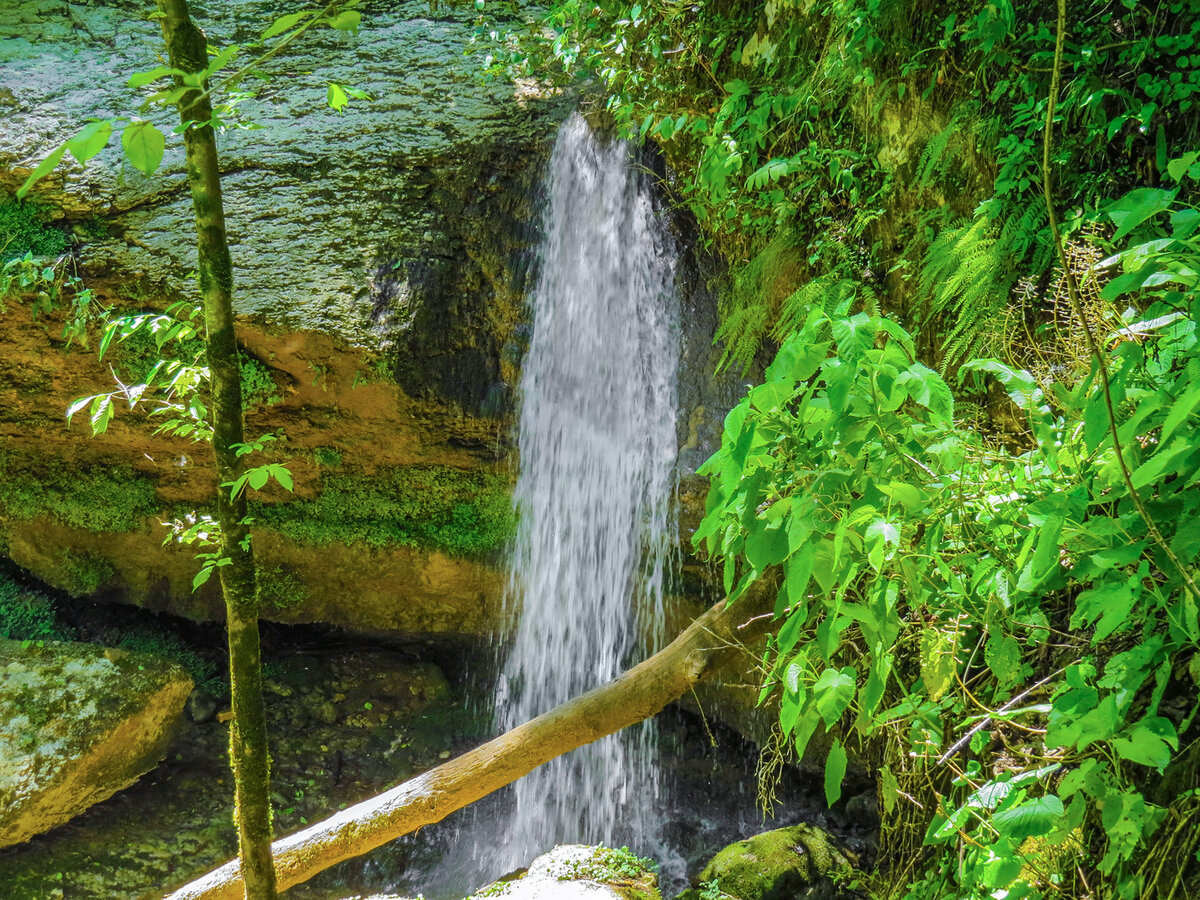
point(188, 52)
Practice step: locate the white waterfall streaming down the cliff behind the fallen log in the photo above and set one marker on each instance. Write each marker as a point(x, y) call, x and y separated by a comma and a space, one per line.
point(597, 449)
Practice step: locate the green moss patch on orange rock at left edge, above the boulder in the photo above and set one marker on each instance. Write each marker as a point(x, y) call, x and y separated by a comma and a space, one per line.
point(100, 499)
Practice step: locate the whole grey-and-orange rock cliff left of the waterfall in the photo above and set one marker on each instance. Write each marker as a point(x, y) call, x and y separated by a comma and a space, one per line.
point(379, 267)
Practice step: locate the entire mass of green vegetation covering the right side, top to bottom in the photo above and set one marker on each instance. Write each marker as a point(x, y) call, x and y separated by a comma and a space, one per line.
point(964, 254)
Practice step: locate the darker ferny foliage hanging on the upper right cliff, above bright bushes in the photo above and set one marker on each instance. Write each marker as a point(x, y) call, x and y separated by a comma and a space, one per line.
point(866, 133)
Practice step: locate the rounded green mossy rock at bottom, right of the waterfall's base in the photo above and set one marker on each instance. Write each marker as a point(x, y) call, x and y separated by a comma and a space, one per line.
point(782, 865)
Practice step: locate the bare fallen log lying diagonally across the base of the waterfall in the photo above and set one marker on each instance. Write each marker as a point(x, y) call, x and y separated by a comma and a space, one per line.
point(711, 641)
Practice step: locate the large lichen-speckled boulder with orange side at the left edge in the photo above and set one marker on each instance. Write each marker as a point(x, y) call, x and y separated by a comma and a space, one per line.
point(82, 723)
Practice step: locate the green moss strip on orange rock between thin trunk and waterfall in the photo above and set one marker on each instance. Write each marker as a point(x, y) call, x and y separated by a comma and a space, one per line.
point(463, 512)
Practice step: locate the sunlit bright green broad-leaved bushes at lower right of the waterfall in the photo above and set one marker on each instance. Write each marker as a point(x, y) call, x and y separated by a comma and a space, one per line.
point(938, 593)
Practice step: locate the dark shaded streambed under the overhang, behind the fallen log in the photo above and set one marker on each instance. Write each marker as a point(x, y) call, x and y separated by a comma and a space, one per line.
point(344, 725)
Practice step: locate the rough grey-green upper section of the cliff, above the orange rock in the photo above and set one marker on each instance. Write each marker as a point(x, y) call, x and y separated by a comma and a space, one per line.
point(393, 223)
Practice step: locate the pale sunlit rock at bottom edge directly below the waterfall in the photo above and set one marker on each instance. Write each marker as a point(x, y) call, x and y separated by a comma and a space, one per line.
point(575, 872)
